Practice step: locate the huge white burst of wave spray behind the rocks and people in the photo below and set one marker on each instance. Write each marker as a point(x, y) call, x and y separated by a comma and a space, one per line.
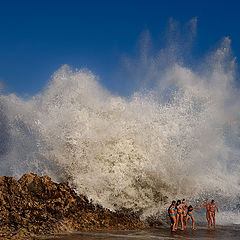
point(178, 139)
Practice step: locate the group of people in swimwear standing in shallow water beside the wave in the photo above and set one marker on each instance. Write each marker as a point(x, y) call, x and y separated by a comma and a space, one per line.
point(180, 212)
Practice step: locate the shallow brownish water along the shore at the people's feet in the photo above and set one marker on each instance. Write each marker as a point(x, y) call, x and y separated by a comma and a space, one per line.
point(221, 233)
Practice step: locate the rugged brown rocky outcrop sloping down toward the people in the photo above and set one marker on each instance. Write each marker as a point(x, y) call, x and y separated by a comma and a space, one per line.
point(36, 205)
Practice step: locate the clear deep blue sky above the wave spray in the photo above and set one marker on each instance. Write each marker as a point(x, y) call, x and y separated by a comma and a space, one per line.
point(37, 37)
